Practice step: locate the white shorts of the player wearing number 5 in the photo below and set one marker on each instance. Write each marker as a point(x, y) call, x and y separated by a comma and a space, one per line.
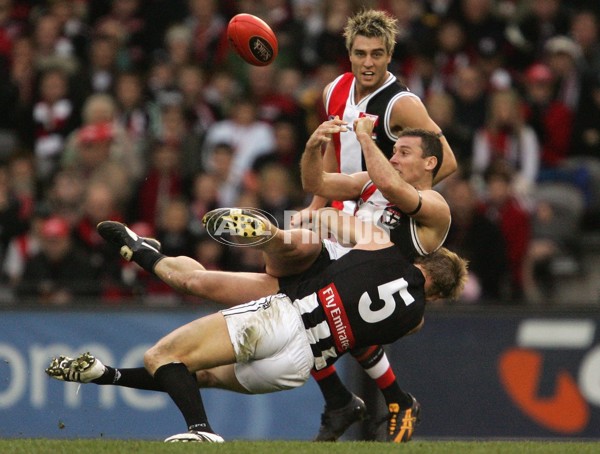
point(270, 344)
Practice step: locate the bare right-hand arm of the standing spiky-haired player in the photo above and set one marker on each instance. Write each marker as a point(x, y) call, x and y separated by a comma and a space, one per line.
point(409, 112)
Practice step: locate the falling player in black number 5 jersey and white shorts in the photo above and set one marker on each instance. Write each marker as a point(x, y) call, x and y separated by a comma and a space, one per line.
point(273, 343)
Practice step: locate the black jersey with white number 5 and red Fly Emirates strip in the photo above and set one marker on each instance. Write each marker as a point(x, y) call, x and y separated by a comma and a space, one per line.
point(364, 298)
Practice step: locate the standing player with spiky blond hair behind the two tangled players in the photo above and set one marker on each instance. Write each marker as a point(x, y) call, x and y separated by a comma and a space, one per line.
point(369, 90)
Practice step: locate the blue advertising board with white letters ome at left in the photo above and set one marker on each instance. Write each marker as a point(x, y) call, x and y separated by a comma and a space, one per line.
point(33, 405)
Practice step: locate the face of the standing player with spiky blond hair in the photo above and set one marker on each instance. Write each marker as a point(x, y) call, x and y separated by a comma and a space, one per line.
point(369, 60)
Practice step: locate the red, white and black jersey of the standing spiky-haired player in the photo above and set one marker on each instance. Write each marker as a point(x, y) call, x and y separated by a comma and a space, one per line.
point(340, 101)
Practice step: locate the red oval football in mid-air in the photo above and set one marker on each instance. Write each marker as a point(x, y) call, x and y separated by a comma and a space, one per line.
point(252, 39)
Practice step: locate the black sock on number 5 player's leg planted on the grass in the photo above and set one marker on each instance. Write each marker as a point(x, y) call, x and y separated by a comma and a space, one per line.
point(175, 379)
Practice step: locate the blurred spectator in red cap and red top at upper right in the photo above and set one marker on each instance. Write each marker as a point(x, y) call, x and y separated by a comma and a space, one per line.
point(550, 119)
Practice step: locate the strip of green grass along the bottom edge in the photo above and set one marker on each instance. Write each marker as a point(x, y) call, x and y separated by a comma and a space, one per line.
point(39, 446)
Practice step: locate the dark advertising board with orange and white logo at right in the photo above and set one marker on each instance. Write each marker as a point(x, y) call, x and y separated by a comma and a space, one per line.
point(495, 374)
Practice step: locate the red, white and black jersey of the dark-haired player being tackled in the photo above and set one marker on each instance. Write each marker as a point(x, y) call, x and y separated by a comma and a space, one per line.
point(373, 207)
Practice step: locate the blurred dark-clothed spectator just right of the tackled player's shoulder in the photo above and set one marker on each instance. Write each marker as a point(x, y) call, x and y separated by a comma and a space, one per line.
point(477, 239)
